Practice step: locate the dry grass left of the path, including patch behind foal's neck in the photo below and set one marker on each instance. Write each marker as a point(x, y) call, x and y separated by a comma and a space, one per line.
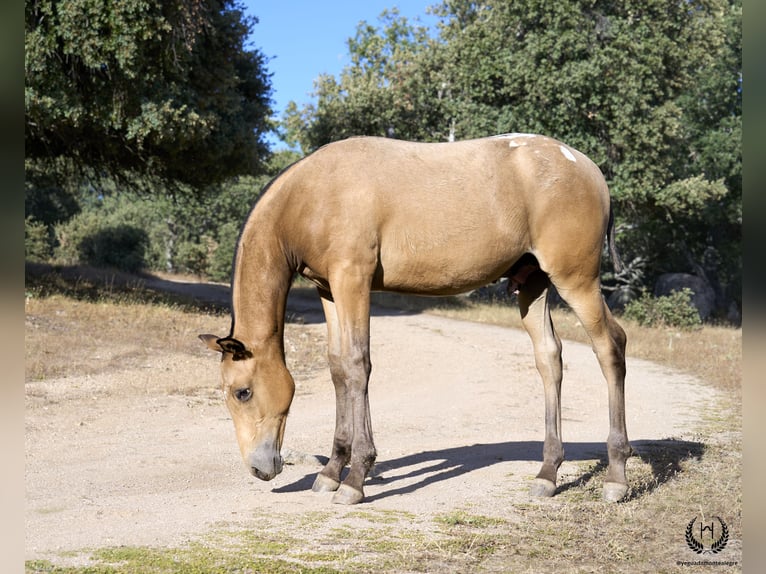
point(80, 323)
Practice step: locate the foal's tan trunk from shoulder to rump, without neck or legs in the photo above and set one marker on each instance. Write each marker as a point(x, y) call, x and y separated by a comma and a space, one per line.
point(446, 217)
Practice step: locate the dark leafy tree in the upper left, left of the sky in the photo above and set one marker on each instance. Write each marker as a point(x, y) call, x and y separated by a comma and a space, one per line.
point(143, 89)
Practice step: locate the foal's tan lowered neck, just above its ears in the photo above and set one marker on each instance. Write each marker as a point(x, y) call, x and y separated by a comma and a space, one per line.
point(259, 290)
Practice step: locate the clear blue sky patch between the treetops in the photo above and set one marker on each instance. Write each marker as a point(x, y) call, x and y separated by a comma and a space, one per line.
point(307, 38)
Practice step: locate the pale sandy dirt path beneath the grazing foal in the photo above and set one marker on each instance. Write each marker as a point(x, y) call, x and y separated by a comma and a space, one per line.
point(147, 455)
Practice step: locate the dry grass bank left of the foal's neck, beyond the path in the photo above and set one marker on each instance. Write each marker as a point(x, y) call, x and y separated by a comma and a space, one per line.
point(84, 326)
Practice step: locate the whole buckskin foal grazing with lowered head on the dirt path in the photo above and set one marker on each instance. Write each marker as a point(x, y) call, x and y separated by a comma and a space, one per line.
point(375, 214)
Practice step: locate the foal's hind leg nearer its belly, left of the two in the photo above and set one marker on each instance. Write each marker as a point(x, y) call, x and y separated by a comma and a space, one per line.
point(536, 318)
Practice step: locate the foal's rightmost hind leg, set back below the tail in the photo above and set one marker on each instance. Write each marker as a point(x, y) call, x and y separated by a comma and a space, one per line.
point(608, 340)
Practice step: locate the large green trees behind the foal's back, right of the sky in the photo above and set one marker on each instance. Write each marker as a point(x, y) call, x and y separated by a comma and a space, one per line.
point(649, 89)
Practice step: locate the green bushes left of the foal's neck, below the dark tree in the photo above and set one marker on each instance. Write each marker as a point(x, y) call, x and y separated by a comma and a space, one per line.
point(195, 234)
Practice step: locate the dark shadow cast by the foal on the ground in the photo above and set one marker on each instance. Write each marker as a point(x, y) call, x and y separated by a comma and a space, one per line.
point(665, 458)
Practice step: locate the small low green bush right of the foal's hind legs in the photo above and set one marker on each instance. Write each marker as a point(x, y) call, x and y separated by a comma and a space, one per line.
point(674, 310)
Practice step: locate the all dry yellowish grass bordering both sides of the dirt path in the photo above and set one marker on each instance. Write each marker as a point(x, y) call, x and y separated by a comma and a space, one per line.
point(74, 325)
